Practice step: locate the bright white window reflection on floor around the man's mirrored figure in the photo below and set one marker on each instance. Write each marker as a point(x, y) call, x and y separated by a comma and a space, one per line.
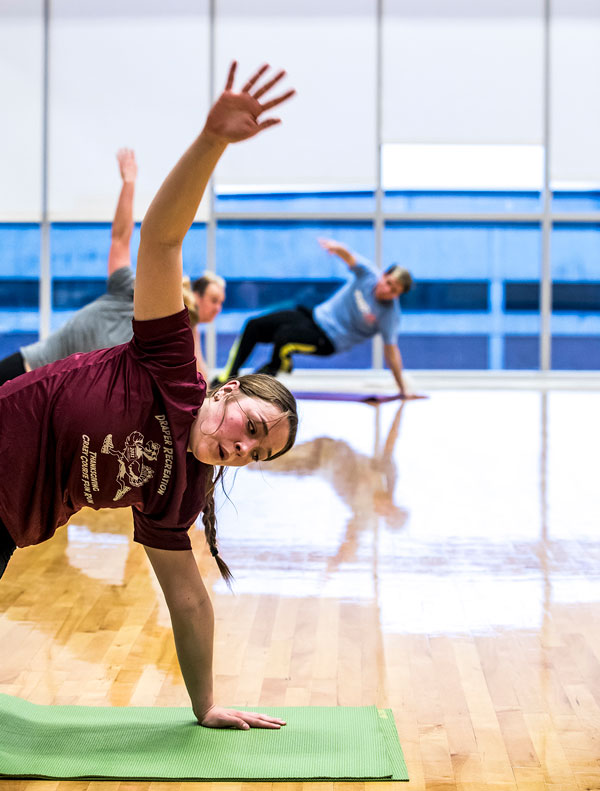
point(450, 529)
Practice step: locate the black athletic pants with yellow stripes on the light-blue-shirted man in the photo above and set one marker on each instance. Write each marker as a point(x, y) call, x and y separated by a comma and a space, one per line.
point(288, 330)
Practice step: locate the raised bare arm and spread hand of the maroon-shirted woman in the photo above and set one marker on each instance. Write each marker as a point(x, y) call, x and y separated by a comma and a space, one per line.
point(234, 117)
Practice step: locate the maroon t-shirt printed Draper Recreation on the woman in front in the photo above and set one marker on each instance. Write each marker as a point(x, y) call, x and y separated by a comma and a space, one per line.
point(107, 429)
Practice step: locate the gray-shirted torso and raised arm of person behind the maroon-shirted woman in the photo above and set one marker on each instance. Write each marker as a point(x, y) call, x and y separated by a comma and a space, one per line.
point(107, 320)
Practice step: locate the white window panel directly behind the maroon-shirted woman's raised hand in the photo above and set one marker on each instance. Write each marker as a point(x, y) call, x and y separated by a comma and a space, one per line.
point(328, 49)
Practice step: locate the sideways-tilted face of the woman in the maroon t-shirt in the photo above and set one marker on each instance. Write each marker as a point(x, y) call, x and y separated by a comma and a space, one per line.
point(232, 429)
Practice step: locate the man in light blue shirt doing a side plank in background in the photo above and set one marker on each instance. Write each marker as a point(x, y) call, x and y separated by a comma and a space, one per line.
point(366, 305)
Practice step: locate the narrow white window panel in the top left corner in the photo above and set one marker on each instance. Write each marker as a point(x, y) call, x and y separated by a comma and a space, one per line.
point(21, 40)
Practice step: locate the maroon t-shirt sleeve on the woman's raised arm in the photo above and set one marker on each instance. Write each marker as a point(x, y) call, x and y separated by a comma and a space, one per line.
point(166, 346)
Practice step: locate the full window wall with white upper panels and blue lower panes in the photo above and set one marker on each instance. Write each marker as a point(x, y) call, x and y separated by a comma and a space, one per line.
point(417, 137)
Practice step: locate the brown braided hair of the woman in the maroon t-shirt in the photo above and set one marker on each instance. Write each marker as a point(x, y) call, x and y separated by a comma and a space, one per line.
point(265, 388)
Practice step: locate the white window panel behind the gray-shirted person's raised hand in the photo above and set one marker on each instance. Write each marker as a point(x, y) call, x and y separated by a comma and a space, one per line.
point(130, 73)
